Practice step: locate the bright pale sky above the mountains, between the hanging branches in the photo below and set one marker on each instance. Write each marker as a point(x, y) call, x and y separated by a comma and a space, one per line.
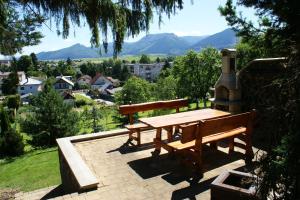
point(198, 17)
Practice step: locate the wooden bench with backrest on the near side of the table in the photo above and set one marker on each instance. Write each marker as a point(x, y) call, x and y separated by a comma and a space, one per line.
point(210, 131)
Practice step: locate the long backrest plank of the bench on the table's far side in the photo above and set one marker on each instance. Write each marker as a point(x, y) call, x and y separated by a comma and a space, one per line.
point(134, 108)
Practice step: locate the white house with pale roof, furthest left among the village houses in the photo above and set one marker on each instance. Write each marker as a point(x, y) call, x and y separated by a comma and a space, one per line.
point(29, 85)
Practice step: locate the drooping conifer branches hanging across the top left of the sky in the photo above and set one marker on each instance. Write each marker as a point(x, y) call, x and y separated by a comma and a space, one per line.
point(123, 18)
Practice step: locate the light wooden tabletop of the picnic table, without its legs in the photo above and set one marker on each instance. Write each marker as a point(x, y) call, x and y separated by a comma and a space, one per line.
point(183, 117)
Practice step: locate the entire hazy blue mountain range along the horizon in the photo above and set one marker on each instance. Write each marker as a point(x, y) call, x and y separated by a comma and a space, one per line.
point(163, 43)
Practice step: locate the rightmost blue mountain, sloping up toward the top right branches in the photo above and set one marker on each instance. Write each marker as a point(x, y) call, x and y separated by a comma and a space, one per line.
point(224, 39)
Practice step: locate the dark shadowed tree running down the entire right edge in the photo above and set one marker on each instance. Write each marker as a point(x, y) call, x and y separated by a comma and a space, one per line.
point(277, 34)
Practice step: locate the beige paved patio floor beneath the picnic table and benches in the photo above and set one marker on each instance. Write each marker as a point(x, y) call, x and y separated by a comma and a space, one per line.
point(127, 172)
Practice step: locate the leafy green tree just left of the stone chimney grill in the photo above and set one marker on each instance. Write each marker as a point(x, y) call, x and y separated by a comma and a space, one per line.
point(196, 73)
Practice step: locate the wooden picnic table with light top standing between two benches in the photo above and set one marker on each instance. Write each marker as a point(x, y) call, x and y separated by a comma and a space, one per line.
point(168, 121)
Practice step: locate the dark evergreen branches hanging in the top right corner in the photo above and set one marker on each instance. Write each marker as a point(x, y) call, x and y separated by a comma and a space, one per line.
point(277, 30)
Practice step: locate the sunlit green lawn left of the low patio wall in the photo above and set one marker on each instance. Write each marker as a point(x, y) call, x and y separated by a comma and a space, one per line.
point(34, 170)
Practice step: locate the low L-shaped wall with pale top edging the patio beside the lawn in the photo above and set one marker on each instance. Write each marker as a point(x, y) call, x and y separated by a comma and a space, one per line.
point(75, 174)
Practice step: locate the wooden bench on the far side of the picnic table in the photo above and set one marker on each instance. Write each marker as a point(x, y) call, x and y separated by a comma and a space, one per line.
point(130, 110)
